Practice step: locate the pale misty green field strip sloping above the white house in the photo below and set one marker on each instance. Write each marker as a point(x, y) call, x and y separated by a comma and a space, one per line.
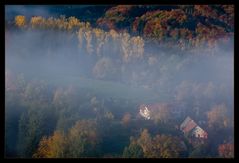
point(110, 89)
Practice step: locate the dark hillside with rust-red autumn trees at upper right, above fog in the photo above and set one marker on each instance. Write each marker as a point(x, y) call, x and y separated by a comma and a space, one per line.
point(194, 23)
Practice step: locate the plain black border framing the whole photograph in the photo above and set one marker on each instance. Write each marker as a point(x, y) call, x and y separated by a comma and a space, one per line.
point(103, 2)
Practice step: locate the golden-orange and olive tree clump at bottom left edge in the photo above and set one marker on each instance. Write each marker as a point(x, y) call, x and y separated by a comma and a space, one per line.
point(80, 141)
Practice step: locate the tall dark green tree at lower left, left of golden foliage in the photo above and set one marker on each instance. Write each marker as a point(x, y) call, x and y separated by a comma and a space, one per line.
point(33, 124)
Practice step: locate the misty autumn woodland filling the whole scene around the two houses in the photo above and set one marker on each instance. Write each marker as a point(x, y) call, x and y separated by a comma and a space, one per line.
point(74, 83)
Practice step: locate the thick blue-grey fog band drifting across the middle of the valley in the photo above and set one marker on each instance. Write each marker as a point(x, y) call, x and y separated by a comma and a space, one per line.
point(48, 56)
